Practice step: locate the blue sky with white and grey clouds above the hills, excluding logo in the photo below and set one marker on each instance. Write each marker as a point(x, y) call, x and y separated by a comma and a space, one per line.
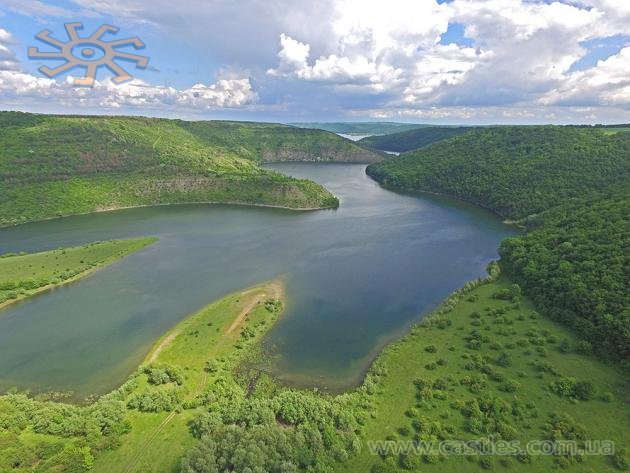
point(422, 61)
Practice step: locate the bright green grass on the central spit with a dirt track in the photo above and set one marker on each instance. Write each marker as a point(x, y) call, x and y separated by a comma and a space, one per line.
point(157, 441)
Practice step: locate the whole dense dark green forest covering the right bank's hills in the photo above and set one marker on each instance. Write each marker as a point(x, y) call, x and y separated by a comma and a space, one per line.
point(569, 187)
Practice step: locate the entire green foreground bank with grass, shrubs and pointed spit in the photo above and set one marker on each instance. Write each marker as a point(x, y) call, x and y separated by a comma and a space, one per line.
point(464, 354)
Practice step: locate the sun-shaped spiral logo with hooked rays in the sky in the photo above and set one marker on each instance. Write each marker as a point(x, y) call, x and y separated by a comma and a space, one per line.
point(89, 53)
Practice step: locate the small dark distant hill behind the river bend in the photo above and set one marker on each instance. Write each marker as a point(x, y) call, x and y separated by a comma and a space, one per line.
point(412, 139)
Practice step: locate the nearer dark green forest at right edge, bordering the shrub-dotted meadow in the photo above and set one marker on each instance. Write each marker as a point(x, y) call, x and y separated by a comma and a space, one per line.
point(575, 268)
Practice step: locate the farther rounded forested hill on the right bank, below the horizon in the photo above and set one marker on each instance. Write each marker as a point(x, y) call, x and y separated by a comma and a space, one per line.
point(515, 171)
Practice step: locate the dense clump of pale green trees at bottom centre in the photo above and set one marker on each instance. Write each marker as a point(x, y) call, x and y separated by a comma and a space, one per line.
point(287, 431)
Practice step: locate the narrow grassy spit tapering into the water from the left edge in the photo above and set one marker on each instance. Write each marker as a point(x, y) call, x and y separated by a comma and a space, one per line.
point(24, 275)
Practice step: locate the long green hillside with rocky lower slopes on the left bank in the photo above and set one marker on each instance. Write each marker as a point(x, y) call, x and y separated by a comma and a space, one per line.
point(62, 165)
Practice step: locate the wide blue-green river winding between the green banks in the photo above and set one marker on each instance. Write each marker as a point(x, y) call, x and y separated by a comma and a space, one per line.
point(357, 276)
